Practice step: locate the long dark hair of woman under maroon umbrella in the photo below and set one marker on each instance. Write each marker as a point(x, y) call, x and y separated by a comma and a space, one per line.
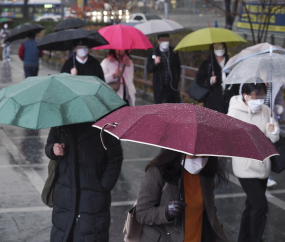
point(170, 163)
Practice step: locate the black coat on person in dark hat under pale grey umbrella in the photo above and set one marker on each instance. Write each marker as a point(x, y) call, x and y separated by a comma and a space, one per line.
point(162, 93)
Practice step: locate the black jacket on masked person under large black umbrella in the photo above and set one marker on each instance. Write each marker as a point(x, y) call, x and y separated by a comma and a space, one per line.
point(91, 67)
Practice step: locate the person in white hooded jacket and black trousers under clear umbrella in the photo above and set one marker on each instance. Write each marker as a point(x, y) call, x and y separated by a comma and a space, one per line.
point(249, 107)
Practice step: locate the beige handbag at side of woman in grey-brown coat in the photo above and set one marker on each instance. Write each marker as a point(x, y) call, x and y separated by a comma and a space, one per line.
point(133, 229)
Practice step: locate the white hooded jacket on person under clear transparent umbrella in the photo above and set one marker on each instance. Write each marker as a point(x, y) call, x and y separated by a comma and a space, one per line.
point(247, 168)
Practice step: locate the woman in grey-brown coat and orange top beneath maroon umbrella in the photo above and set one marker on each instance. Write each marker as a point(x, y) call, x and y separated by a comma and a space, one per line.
point(164, 215)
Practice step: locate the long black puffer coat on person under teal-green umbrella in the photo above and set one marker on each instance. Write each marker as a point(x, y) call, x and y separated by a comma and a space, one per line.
point(88, 173)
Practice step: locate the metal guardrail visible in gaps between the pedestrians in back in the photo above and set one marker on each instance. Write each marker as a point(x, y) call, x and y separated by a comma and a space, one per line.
point(140, 68)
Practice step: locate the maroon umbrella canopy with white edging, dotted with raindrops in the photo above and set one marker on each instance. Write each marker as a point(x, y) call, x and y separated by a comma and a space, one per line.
point(190, 129)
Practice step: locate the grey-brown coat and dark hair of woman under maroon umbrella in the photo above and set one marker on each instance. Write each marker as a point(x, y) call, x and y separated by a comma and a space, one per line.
point(153, 202)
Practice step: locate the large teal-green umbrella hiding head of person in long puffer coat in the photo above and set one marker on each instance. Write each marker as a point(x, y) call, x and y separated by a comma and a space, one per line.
point(55, 100)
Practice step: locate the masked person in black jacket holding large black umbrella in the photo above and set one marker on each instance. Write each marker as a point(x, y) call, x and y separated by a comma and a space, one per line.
point(82, 63)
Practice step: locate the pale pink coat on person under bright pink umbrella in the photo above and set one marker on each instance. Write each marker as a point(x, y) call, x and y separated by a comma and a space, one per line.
point(110, 65)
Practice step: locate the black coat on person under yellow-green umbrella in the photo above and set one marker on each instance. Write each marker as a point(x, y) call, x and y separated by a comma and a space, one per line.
point(215, 100)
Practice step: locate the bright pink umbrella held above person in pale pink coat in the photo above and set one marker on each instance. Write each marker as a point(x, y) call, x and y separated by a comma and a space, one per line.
point(124, 37)
